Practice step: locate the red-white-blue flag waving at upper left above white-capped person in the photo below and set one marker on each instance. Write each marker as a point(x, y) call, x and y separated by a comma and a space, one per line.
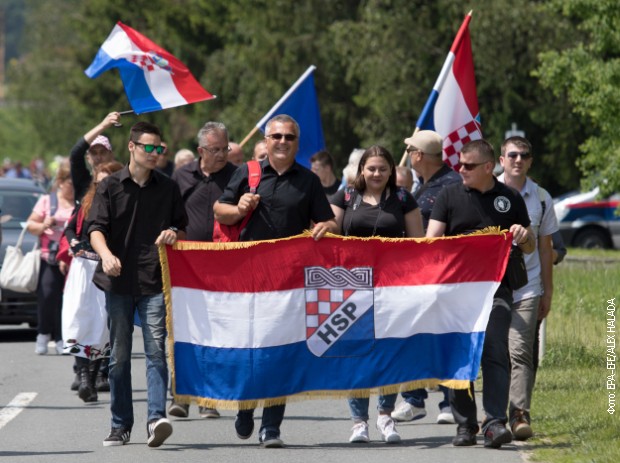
point(152, 77)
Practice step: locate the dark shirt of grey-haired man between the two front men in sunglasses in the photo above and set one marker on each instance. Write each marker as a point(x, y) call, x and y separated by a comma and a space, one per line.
point(199, 193)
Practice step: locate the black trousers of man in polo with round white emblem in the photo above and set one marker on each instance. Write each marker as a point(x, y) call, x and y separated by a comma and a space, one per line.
point(495, 370)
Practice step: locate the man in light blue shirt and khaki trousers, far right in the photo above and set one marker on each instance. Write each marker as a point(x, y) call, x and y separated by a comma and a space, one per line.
point(533, 301)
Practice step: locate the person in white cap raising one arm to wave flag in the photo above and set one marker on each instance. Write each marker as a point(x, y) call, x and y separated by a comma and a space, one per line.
point(97, 149)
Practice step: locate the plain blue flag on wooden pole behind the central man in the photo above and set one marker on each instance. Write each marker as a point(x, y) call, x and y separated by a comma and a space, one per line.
point(301, 103)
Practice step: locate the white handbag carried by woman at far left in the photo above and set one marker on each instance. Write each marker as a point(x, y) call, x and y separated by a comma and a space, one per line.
point(20, 273)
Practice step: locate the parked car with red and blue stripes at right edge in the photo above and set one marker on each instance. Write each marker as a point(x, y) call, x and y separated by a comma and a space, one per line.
point(588, 222)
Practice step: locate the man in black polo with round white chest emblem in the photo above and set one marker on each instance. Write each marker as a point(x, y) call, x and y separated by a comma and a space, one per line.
point(478, 202)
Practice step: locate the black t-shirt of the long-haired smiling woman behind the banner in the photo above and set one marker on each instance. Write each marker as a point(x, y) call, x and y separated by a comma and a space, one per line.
point(363, 219)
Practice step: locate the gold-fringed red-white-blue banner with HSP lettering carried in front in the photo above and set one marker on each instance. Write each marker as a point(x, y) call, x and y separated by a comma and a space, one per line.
point(254, 323)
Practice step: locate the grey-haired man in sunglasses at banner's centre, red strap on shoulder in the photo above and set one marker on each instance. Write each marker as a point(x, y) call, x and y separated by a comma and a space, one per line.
point(289, 198)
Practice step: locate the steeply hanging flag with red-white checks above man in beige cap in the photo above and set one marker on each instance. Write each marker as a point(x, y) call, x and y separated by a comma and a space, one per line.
point(452, 107)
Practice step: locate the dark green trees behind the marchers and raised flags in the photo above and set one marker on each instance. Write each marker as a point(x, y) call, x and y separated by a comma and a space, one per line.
point(376, 63)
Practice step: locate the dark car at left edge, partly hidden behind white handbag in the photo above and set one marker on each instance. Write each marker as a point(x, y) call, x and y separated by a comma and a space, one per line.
point(17, 198)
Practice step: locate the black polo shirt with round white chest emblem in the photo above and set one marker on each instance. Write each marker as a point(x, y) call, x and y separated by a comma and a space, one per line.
point(465, 210)
